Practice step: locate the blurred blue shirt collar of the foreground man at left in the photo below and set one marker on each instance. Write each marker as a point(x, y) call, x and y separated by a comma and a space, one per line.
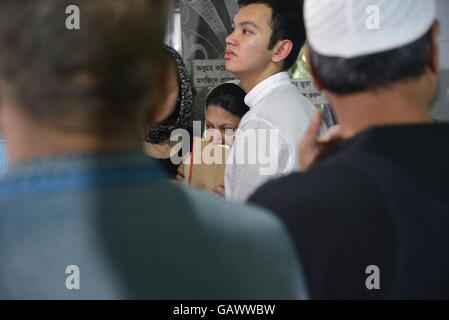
point(78, 170)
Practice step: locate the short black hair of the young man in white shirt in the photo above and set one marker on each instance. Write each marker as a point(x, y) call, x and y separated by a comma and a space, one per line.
point(287, 23)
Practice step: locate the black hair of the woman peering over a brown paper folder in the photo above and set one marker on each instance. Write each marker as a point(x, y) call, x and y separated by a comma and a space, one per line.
point(230, 97)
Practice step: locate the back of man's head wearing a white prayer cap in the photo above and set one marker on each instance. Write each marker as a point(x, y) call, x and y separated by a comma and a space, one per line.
point(355, 56)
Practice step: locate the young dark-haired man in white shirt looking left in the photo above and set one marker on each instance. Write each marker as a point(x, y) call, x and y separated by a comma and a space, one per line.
point(266, 41)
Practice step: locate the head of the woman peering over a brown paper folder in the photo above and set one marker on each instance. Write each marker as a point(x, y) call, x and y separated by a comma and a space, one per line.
point(225, 107)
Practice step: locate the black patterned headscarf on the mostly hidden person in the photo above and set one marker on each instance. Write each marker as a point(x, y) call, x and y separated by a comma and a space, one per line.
point(181, 117)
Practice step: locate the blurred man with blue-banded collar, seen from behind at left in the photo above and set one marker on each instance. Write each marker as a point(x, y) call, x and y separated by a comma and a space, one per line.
point(84, 213)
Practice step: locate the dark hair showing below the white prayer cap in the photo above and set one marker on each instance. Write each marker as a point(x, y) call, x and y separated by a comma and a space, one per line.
point(371, 72)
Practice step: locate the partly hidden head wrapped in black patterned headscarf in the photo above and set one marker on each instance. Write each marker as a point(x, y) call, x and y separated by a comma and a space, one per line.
point(172, 107)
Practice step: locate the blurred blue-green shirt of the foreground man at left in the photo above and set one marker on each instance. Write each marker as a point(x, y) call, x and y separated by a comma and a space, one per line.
point(132, 234)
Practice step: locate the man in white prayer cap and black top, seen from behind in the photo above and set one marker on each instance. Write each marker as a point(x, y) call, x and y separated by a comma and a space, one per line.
point(369, 212)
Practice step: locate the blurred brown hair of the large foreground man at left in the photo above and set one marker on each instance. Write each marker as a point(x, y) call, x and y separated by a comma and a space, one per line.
point(100, 74)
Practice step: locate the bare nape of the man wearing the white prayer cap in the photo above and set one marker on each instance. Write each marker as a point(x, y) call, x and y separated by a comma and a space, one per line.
point(399, 105)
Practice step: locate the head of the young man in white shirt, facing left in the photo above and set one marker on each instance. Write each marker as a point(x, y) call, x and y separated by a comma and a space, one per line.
point(265, 32)
